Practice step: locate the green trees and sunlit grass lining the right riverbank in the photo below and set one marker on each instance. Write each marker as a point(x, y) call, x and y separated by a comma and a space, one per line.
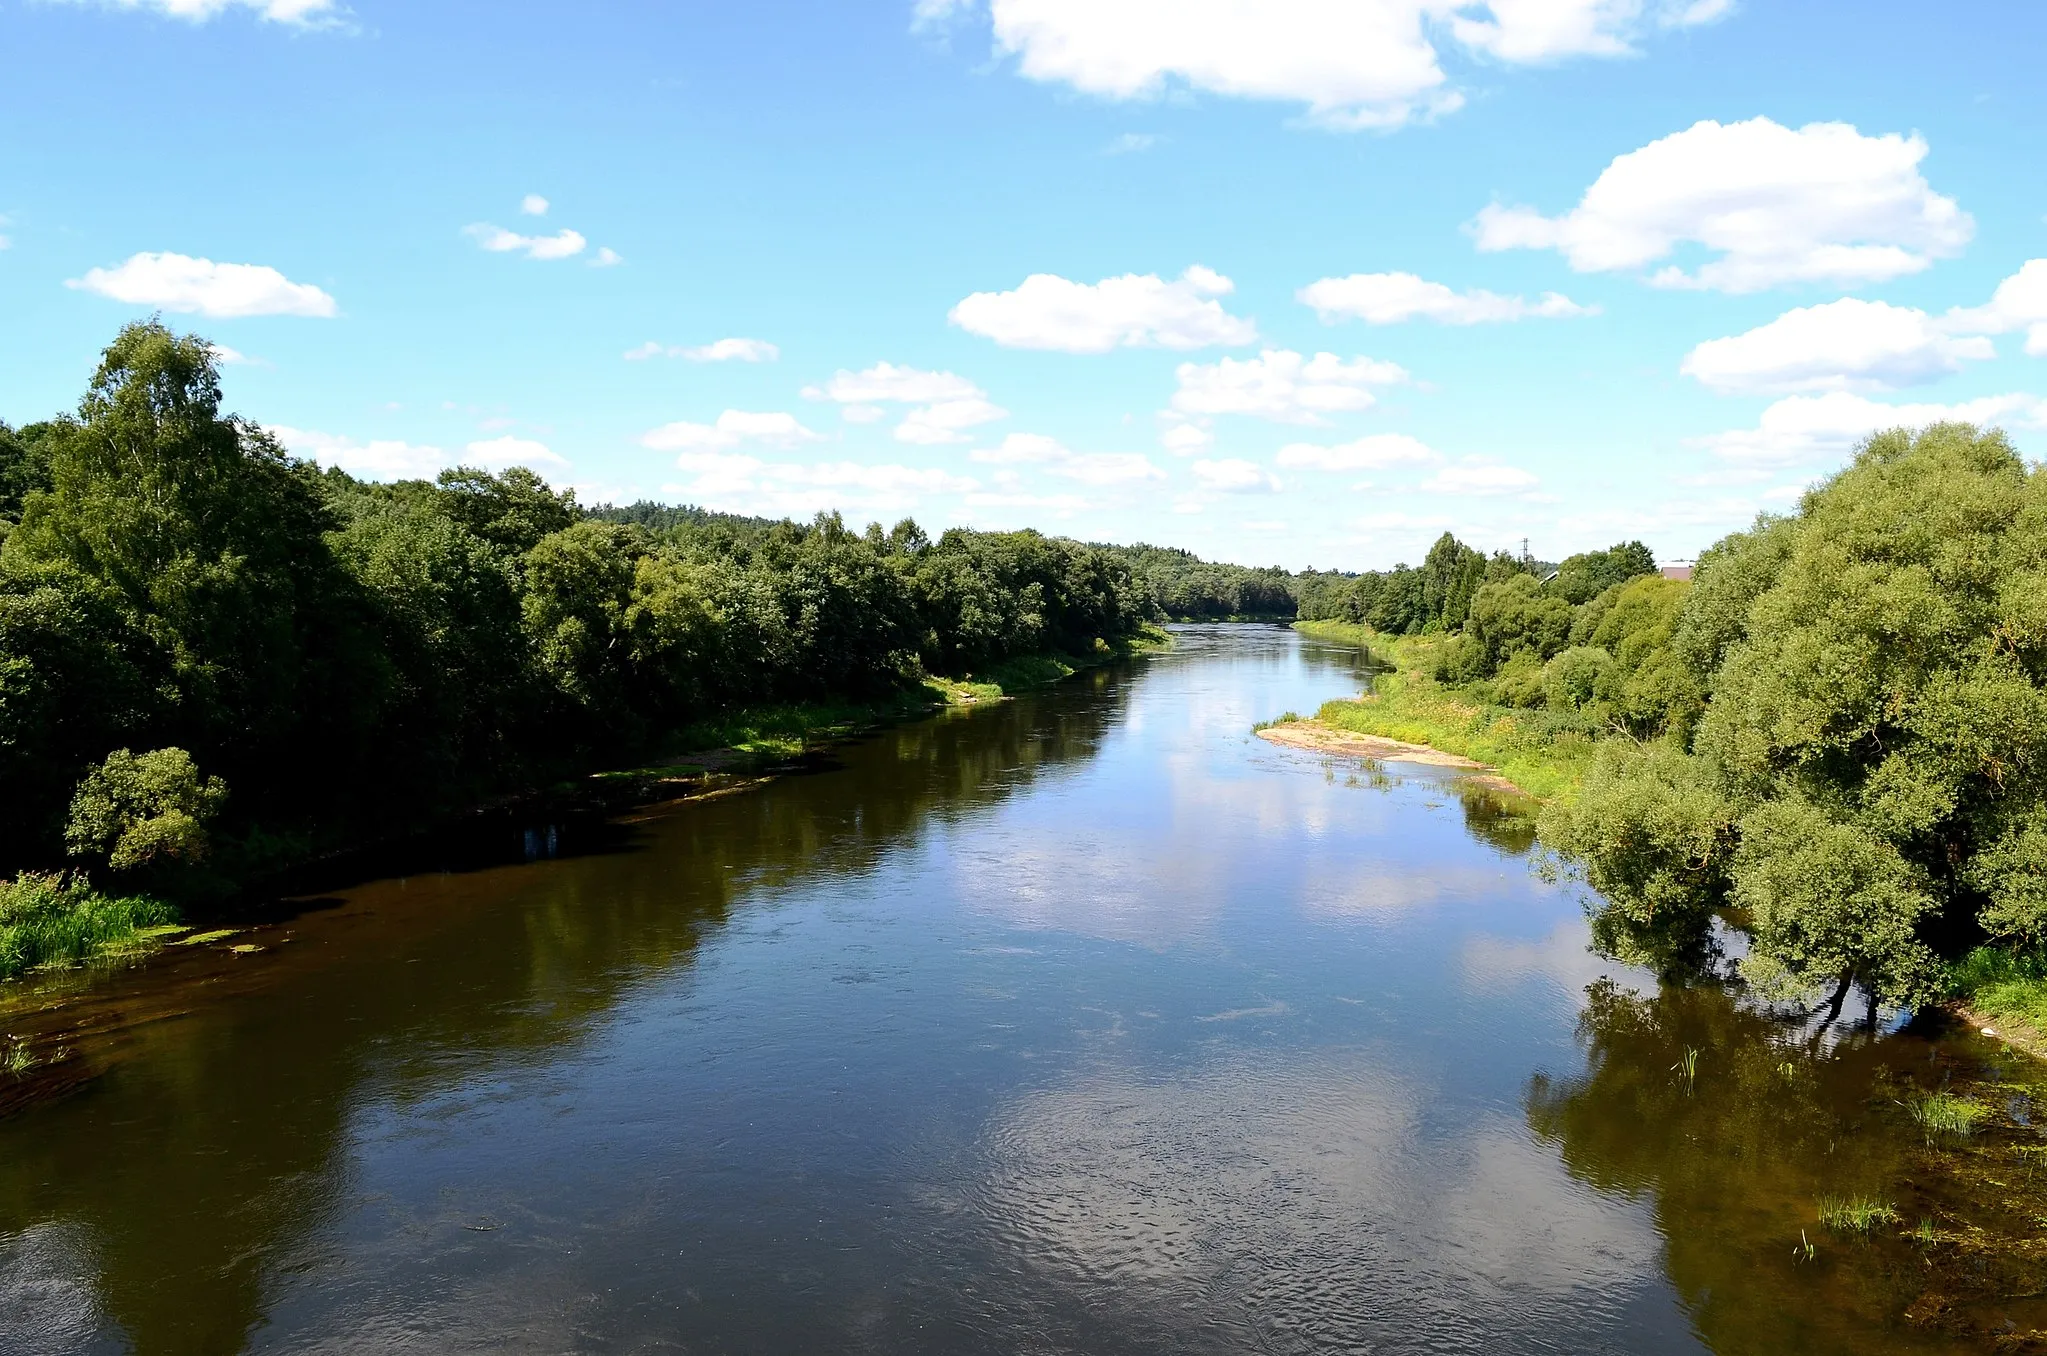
point(1833, 740)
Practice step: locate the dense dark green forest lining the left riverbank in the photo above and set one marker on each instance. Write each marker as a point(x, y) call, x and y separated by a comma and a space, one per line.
point(216, 659)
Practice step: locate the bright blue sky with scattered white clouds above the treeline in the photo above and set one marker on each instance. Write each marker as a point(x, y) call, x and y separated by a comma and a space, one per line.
point(1581, 269)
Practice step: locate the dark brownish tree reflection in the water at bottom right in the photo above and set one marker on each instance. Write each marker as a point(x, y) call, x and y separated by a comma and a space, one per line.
point(1735, 1126)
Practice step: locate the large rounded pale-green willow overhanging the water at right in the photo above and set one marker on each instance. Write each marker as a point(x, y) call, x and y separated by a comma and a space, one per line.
point(1868, 786)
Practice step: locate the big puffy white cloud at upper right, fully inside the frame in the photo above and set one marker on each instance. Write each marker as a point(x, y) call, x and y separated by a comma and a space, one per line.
point(1776, 206)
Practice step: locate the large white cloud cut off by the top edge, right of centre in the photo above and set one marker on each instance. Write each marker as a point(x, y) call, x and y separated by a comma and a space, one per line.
point(1352, 62)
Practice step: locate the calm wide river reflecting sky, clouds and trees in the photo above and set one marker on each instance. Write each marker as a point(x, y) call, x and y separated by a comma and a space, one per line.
point(1082, 1023)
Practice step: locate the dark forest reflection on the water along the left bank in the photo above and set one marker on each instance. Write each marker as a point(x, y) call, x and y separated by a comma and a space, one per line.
point(212, 1091)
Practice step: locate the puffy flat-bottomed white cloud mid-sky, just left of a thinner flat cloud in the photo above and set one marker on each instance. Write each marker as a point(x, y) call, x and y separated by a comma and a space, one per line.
point(1127, 312)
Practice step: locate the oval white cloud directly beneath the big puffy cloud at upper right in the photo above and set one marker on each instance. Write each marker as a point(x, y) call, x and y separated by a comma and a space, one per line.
point(1839, 347)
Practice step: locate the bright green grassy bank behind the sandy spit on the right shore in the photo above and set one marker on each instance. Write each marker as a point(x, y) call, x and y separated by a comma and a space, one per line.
point(1538, 751)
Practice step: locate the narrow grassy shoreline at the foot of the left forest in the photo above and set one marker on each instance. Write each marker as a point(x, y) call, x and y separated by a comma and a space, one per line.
point(52, 923)
